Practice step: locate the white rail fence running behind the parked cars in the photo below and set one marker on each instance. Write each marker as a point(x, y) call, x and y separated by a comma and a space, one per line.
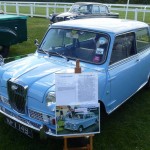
point(43, 9)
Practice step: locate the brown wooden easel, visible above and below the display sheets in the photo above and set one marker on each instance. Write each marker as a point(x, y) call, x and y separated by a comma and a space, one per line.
point(89, 146)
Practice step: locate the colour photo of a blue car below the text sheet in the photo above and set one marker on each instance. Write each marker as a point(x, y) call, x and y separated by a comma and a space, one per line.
point(78, 119)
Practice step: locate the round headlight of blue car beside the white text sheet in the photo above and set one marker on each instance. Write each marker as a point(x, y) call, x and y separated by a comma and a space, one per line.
point(50, 101)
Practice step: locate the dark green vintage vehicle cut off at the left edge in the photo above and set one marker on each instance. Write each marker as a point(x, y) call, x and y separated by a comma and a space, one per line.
point(13, 30)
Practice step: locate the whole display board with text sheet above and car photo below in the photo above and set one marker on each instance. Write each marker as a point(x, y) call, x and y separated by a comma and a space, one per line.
point(77, 107)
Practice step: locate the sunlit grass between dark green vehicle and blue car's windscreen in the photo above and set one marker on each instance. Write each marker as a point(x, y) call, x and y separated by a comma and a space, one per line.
point(36, 30)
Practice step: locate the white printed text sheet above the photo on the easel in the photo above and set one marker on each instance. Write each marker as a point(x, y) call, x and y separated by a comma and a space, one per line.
point(76, 88)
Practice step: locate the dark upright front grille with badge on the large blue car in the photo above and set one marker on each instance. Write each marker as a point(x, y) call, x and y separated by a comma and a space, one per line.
point(17, 96)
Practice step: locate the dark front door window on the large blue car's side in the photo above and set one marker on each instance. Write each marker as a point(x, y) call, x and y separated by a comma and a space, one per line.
point(124, 46)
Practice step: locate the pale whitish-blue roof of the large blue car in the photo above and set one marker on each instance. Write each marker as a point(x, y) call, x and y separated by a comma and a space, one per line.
point(111, 25)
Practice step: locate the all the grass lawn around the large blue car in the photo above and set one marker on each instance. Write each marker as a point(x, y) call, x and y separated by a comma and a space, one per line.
point(128, 128)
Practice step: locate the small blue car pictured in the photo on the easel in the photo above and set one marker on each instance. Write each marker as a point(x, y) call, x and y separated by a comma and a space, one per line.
point(81, 121)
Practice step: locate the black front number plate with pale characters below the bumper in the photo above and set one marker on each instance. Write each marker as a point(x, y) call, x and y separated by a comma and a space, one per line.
point(27, 131)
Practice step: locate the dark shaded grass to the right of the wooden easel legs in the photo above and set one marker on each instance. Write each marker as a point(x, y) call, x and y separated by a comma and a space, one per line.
point(128, 128)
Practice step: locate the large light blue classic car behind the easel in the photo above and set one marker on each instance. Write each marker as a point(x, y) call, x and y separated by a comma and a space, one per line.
point(117, 50)
